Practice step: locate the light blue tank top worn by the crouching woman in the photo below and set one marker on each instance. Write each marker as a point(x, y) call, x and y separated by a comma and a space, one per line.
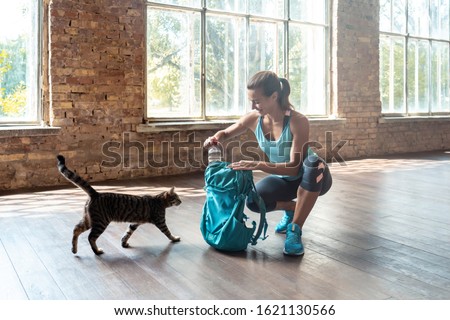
point(277, 151)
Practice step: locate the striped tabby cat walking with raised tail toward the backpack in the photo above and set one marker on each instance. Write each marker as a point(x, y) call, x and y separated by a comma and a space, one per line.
point(103, 208)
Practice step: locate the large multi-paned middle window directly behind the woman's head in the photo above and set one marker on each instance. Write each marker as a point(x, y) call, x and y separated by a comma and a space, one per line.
point(200, 54)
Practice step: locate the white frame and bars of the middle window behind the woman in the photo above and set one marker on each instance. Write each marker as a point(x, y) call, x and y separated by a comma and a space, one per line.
point(285, 20)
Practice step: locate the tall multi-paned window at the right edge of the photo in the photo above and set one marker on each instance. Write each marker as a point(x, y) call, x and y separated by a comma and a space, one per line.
point(414, 56)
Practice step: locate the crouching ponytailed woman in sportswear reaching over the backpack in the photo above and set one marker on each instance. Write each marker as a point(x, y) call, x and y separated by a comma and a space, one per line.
point(295, 171)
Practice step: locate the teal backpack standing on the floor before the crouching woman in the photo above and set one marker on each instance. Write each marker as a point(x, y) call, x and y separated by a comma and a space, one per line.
point(223, 220)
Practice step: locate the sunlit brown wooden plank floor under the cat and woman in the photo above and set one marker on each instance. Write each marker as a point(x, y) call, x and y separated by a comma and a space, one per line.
point(382, 232)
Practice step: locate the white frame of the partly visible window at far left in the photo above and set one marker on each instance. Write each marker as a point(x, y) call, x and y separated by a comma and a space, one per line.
point(37, 75)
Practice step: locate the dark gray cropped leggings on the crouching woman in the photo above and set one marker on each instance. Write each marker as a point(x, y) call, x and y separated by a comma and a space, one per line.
point(316, 178)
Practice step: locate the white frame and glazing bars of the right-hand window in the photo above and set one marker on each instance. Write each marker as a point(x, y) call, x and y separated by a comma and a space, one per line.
point(407, 40)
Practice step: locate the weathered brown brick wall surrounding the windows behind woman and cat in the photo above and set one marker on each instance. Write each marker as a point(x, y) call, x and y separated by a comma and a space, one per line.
point(94, 91)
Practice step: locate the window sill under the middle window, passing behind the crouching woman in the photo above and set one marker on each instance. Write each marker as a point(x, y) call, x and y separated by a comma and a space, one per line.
point(157, 127)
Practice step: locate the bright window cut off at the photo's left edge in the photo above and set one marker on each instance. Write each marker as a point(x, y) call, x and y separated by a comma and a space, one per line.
point(19, 61)
